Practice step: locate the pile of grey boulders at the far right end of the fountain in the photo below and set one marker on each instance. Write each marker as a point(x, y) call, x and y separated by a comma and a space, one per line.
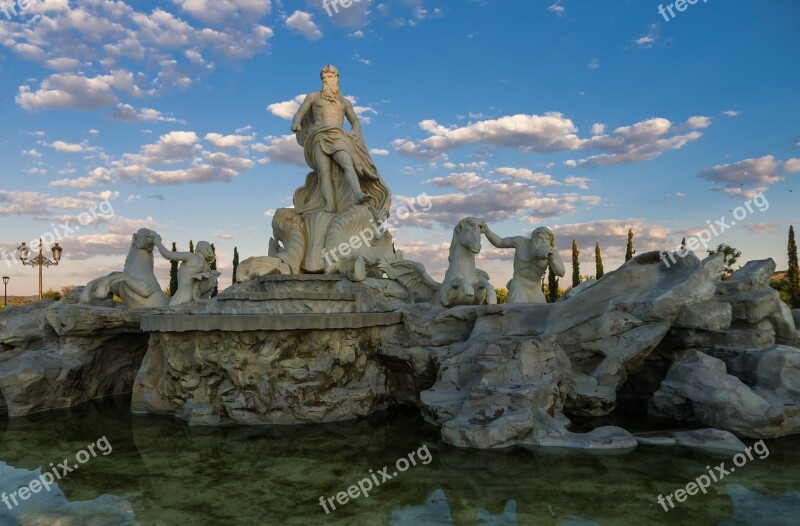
point(735, 377)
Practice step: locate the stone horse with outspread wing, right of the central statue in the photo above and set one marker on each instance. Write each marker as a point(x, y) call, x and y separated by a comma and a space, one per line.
point(464, 284)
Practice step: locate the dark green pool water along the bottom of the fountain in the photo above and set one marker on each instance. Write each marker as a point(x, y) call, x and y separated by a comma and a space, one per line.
point(162, 472)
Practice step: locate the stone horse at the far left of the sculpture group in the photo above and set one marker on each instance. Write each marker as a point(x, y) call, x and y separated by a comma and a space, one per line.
point(136, 284)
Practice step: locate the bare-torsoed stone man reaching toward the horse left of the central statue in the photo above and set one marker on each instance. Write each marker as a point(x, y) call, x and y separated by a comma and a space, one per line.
point(196, 280)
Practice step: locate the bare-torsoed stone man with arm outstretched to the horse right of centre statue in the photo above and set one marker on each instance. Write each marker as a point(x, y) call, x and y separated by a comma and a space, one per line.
point(531, 259)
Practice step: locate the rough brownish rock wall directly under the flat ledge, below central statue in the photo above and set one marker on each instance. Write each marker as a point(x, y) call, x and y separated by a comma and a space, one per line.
point(262, 377)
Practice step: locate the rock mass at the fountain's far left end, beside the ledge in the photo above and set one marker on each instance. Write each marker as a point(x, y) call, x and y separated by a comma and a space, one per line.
point(60, 354)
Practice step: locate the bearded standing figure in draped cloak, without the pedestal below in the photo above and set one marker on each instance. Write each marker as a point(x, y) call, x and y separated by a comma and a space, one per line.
point(340, 159)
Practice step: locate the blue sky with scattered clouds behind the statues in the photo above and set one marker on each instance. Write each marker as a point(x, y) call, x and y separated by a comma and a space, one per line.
point(591, 118)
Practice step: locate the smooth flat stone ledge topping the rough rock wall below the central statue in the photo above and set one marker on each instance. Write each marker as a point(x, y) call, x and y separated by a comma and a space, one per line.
point(261, 322)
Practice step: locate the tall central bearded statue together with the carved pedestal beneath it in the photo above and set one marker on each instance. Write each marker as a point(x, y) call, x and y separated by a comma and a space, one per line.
point(343, 195)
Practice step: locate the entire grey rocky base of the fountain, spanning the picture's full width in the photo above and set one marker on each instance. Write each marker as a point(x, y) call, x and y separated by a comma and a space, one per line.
point(288, 349)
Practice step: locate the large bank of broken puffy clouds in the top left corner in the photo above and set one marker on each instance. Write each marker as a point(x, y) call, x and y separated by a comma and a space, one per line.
point(97, 35)
